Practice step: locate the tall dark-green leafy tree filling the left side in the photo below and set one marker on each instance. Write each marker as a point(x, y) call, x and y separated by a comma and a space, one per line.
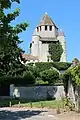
point(10, 51)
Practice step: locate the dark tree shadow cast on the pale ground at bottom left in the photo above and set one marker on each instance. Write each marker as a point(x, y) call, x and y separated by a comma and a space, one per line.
point(18, 115)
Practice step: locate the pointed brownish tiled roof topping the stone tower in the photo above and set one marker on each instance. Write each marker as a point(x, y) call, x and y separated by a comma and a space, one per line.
point(46, 20)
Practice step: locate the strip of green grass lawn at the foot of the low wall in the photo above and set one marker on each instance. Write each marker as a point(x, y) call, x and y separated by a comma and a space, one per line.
point(49, 104)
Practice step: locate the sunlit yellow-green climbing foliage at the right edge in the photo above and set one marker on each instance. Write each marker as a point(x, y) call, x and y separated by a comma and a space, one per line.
point(73, 74)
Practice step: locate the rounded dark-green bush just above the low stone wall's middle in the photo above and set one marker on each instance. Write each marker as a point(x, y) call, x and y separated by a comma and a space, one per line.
point(50, 75)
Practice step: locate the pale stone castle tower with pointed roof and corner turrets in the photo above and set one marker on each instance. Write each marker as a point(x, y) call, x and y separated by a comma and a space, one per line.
point(44, 33)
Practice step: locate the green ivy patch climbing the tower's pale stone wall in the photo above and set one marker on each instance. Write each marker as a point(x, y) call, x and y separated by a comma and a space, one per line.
point(55, 50)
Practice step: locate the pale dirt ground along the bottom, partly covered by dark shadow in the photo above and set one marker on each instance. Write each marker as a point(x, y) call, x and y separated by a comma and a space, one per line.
point(34, 114)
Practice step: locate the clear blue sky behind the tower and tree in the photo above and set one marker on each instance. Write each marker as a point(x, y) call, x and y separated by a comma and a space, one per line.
point(65, 13)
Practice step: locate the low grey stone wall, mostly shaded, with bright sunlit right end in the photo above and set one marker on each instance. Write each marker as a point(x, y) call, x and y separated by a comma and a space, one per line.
point(38, 92)
